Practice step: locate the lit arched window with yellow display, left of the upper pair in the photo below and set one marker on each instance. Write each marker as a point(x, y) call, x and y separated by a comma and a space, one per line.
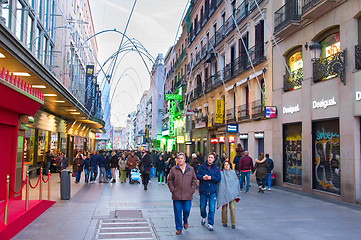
point(294, 74)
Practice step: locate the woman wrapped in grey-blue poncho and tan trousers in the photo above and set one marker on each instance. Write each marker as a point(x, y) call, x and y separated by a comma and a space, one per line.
point(228, 194)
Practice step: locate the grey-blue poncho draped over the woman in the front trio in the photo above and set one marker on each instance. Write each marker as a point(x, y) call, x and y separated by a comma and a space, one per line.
point(228, 188)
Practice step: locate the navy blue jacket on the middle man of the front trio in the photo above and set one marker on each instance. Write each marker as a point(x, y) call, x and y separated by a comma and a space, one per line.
point(208, 186)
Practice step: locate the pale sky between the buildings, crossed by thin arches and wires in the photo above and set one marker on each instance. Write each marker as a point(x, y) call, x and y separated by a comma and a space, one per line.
point(154, 23)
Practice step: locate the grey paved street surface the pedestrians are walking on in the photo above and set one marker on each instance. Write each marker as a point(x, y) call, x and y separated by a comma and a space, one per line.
point(276, 214)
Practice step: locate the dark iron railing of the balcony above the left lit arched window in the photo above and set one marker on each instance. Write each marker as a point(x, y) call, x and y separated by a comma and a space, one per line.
point(286, 14)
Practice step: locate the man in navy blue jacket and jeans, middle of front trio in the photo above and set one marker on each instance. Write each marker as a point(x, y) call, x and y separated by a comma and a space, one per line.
point(209, 176)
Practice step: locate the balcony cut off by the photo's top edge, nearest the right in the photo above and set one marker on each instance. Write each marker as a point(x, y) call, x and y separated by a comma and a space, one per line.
point(312, 9)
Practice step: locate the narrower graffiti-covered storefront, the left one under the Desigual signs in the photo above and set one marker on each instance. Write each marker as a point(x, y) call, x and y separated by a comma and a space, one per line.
point(292, 154)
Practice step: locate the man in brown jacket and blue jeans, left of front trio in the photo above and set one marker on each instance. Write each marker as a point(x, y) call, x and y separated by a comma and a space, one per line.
point(182, 184)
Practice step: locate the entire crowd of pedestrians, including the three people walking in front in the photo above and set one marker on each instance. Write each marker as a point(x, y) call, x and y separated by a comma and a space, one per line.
point(219, 181)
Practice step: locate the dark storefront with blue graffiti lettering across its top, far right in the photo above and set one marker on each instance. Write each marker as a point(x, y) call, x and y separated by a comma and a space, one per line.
point(326, 156)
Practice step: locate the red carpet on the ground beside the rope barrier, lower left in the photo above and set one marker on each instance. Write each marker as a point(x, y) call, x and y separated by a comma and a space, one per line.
point(19, 218)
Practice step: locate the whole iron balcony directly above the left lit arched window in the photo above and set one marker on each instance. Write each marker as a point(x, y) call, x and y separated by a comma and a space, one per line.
point(287, 19)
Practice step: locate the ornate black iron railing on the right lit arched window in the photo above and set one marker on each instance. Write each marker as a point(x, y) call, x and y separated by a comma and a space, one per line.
point(328, 67)
